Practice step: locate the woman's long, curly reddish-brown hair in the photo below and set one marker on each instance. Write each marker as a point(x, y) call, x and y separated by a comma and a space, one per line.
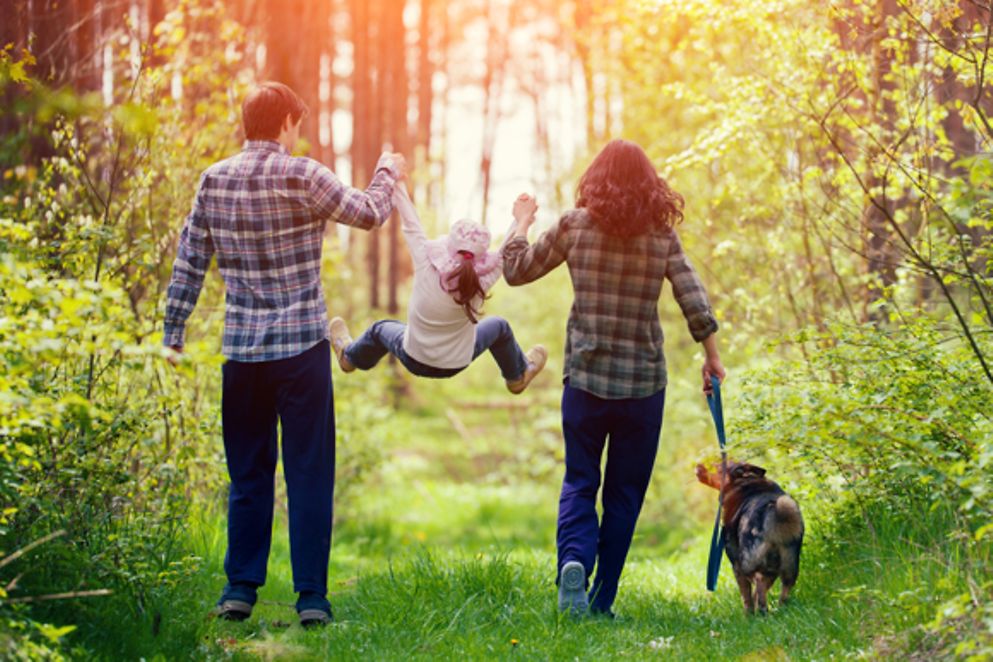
point(625, 195)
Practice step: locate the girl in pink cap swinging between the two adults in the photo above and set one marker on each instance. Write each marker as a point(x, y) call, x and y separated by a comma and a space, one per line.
point(444, 334)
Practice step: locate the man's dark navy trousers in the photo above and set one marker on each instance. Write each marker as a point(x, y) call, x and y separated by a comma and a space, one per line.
point(297, 391)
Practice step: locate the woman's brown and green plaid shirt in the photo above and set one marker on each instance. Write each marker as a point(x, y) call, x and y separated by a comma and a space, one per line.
point(613, 339)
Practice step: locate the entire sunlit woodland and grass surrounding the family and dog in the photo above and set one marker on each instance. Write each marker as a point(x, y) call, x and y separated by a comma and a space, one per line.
point(835, 159)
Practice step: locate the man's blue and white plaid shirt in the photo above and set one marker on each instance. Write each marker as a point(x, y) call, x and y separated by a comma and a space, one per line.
point(264, 213)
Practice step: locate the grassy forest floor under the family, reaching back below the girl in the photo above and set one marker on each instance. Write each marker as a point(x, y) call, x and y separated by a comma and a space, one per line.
point(445, 548)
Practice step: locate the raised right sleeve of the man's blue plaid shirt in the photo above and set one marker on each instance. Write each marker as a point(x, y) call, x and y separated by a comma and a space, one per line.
point(367, 209)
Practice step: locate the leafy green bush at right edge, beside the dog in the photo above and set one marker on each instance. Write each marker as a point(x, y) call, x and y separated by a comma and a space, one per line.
point(887, 439)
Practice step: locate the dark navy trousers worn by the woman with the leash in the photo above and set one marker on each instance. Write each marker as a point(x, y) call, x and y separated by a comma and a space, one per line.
point(633, 427)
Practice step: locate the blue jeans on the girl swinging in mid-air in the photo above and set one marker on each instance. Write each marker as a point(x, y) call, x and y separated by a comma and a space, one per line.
point(386, 336)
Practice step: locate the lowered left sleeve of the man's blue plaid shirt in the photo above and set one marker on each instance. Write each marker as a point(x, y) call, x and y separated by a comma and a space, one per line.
point(196, 248)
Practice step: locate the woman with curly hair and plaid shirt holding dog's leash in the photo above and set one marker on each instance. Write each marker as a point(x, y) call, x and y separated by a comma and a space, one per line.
point(619, 244)
